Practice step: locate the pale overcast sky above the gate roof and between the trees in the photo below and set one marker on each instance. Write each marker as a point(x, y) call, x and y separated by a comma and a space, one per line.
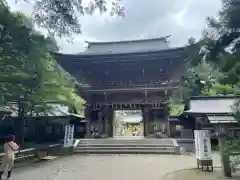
point(144, 19)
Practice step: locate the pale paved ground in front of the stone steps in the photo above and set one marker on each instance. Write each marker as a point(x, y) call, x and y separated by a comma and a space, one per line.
point(108, 167)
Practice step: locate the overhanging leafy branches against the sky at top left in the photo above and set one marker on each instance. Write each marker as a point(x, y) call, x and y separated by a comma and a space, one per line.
point(62, 17)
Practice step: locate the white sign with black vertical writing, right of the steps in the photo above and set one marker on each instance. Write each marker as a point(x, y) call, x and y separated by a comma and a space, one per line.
point(203, 144)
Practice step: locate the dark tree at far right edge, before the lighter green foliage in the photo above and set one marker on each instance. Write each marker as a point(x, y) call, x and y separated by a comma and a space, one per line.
point(223, 48)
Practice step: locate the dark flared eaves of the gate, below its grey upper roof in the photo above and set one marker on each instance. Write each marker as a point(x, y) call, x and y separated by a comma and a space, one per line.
point(101, 70)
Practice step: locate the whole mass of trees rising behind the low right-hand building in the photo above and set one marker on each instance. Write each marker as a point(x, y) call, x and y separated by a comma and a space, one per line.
point(213, 63)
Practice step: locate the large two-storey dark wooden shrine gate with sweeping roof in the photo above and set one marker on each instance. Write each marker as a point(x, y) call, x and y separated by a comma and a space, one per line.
point(126, 75)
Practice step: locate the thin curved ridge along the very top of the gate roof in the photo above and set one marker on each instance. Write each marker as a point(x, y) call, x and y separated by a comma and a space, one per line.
point(126, 41)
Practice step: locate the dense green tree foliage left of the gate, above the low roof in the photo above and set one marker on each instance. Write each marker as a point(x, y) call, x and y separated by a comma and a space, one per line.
point(29, 75)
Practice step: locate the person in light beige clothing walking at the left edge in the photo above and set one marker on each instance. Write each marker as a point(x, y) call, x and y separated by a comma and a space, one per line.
point(9, 155)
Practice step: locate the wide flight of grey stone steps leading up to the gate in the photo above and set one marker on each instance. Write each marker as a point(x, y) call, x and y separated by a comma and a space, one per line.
point(124, 145)
